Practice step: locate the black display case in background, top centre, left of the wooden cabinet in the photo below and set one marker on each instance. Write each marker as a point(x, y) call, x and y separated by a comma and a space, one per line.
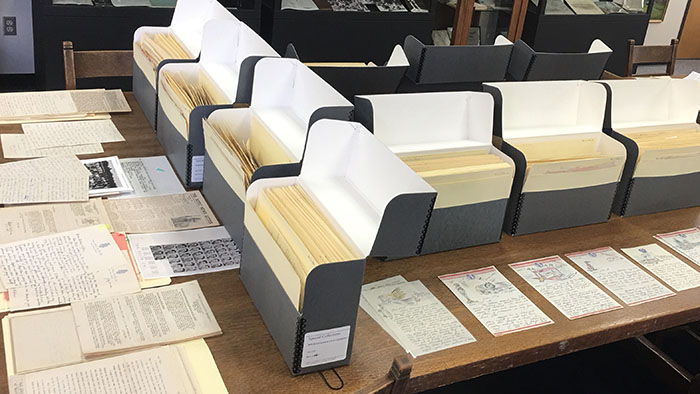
point(326, 31)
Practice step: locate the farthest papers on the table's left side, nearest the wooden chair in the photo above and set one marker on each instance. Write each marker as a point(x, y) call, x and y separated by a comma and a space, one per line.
point(26, 107)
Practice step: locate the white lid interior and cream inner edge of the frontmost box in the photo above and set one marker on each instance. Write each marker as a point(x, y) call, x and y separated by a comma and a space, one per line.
point(352, 177)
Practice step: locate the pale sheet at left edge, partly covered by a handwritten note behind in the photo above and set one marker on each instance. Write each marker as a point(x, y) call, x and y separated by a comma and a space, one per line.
point(19, 146)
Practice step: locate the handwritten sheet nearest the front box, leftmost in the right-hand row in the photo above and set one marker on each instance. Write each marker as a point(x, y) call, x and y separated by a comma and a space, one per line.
point(420, 320)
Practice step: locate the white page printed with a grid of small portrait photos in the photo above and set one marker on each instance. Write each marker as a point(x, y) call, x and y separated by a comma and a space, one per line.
point(181, 253)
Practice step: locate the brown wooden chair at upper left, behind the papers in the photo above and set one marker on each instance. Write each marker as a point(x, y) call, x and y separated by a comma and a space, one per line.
point(95, 64)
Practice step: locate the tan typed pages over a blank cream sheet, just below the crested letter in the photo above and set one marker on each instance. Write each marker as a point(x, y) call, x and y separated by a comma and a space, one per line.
point(77, 333)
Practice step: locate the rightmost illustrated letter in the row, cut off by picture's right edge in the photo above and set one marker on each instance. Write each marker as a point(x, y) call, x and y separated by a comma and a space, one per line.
point(677, 274)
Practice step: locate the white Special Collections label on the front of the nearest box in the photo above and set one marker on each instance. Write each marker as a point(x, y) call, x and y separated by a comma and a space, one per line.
point(325, 346)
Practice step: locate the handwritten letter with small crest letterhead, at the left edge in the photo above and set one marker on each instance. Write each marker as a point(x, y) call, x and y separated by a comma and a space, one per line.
point(65, 267)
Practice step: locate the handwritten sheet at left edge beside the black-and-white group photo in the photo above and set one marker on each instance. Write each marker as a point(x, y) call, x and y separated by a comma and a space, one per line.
point(44, 184)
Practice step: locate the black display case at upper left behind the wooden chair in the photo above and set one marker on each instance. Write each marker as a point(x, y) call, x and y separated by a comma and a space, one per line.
point(103, 26)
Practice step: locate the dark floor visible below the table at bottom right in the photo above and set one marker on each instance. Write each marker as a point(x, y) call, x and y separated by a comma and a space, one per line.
point(617, 368)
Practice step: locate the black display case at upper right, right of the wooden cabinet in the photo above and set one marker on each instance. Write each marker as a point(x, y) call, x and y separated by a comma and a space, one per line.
point(554, 26)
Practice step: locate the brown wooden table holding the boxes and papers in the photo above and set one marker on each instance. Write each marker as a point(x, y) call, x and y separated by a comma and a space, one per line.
point(249, 361)
